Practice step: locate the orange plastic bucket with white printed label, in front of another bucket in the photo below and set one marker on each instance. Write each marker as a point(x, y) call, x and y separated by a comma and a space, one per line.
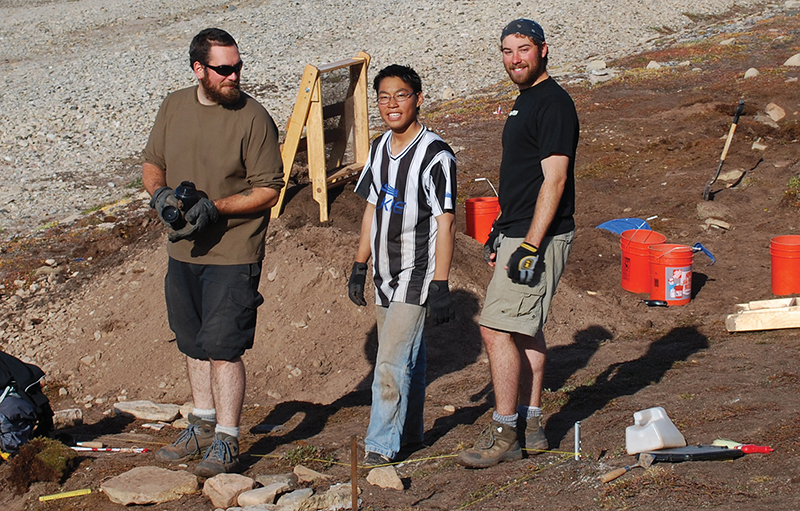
point(671, 273)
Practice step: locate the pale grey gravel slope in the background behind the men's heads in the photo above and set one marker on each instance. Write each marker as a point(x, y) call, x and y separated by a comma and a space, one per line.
point(82, 79)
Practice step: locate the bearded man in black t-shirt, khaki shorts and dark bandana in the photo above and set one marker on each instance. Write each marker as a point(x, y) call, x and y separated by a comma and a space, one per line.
point(531, 240)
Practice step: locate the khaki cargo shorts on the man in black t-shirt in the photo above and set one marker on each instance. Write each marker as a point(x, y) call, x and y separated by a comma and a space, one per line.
point(521, 308)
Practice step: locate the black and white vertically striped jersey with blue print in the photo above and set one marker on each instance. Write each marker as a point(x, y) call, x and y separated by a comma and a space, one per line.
point(409, 191)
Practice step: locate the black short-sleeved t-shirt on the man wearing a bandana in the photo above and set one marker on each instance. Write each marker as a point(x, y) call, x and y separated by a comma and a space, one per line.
point(543, 123)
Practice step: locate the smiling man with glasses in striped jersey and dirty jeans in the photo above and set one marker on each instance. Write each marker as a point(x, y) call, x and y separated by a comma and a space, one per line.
point(408, 227)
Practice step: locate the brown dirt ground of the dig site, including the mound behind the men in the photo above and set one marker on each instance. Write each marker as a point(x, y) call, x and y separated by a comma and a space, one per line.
point(651, 139)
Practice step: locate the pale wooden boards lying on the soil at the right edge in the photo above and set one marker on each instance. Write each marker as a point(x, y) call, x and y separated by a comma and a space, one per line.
point(764, 315)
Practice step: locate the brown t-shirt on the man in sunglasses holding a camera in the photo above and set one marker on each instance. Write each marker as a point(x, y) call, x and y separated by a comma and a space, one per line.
point(224, 151)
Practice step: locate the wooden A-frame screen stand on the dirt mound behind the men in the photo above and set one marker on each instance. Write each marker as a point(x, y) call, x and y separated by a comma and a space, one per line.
point(310, 115)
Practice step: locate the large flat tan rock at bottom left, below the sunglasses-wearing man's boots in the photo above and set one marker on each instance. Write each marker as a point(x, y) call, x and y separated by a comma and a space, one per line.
point(149, 485)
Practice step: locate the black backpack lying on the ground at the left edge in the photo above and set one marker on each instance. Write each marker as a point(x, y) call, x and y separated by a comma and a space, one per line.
point(25, 411)
